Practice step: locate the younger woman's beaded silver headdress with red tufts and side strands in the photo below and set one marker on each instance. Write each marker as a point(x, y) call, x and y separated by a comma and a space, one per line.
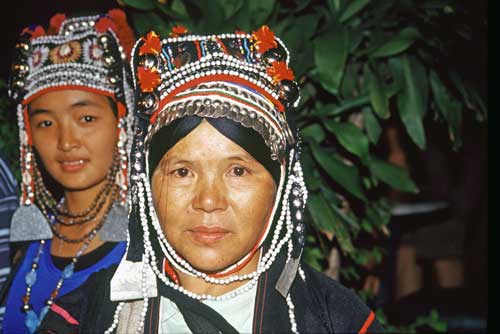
point(86, 53)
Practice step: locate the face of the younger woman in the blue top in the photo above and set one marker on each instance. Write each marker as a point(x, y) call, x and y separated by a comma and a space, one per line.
point(75, 134)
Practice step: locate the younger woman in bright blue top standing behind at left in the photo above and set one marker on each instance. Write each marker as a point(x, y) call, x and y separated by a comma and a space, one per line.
point(72, 86)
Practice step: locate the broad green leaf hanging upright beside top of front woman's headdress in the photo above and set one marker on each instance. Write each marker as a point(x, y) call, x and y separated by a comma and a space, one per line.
point(330, 54)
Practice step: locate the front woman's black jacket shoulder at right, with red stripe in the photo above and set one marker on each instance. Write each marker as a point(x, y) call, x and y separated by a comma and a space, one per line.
point(347, 312)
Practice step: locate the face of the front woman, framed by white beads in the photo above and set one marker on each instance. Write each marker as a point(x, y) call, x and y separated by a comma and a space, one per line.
point(213, 199)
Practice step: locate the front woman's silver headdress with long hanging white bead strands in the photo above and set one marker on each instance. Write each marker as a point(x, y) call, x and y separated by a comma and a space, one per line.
point(243, 77)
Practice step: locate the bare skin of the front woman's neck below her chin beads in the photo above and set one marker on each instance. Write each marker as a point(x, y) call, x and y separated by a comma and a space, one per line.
point(200, 286)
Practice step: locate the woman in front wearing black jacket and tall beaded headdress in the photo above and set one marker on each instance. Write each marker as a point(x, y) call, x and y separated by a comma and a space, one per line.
point(217, 231)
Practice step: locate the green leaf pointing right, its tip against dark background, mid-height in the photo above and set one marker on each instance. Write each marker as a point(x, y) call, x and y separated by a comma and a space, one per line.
point(392, 175)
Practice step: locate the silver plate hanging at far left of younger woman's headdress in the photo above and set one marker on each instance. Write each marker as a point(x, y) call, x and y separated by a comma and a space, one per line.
point(28, 224)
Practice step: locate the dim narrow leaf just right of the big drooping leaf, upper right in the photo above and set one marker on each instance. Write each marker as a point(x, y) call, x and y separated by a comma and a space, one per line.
point(450, 108)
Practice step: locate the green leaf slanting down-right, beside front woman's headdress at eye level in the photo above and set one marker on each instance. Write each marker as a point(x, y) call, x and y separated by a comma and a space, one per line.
point(346, 176)
